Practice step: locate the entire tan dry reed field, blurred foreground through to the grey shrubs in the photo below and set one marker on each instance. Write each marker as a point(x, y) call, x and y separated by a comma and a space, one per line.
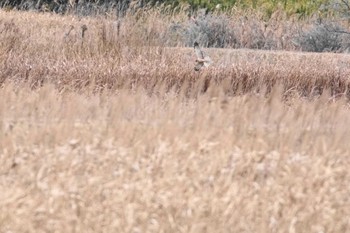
point(108, 132)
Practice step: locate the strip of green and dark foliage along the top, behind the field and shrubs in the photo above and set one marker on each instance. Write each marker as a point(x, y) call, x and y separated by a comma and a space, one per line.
point(301, 7)
